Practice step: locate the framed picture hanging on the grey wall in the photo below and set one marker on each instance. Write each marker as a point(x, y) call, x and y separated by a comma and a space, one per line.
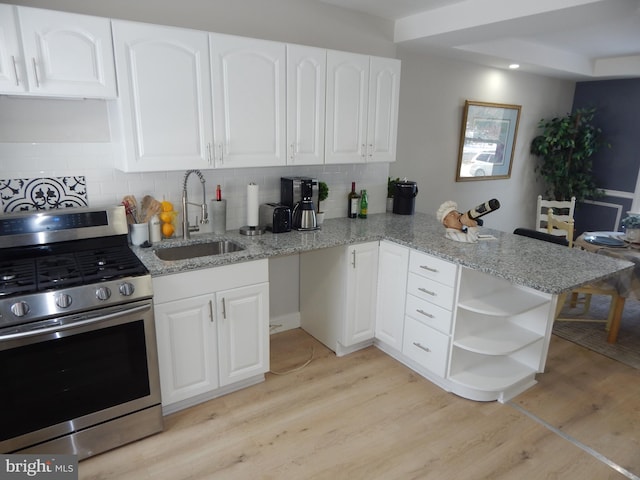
point(487, 141)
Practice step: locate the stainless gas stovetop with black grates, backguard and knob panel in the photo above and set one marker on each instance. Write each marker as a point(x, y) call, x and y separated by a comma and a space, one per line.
point(66, 262)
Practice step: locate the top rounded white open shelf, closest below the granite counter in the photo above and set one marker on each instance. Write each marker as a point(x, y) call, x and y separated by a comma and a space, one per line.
point(506, 302)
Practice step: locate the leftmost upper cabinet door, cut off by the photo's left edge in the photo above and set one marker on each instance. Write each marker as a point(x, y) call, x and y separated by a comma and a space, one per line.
point(12, 79)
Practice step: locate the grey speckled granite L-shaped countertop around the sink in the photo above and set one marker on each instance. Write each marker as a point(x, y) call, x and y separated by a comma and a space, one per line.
point(523, 261)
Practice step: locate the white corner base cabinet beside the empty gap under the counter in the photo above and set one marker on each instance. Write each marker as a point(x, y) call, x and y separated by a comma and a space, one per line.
point(337, 296)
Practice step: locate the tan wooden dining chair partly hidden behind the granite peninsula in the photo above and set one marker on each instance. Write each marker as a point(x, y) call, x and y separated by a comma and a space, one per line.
point(581, 296)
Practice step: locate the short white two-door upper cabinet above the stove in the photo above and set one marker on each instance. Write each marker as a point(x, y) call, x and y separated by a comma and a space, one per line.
point(49, 53)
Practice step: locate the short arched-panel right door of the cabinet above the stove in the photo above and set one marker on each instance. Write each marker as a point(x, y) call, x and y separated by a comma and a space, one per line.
point(67, 54)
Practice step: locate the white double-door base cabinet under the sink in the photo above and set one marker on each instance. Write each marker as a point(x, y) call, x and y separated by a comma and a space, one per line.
point(212, 330)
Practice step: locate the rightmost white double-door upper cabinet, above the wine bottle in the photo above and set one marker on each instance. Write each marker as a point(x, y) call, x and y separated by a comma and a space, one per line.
point(362, 108)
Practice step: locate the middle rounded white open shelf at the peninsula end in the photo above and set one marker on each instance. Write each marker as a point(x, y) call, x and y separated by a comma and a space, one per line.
point(501, 340)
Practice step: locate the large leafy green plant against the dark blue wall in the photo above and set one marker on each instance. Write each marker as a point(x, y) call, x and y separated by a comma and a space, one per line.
point(566, 146)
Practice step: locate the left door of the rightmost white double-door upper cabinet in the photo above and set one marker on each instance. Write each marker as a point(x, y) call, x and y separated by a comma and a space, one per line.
point(347, 97)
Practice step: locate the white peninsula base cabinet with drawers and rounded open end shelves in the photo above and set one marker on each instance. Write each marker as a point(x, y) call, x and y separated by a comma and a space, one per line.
point(469, 332)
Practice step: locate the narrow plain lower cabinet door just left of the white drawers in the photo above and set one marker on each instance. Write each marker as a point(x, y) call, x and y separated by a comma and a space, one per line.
point(393, 261)
